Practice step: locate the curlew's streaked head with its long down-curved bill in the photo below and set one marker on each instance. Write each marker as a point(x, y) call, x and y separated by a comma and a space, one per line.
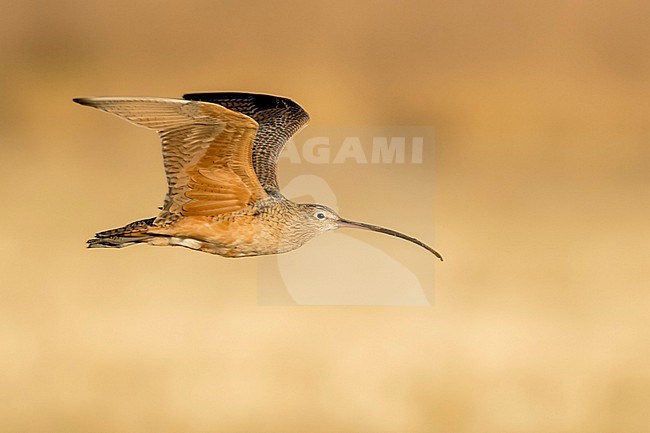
point(316, 219)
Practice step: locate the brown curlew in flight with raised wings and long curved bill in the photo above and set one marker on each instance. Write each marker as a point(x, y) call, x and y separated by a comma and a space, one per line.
point(220, 152)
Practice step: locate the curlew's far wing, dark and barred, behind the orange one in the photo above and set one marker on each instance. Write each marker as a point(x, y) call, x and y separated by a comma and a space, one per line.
point(278, 119)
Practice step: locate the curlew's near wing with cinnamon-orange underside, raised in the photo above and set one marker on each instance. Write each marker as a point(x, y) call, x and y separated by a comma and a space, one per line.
point(207, 152)
